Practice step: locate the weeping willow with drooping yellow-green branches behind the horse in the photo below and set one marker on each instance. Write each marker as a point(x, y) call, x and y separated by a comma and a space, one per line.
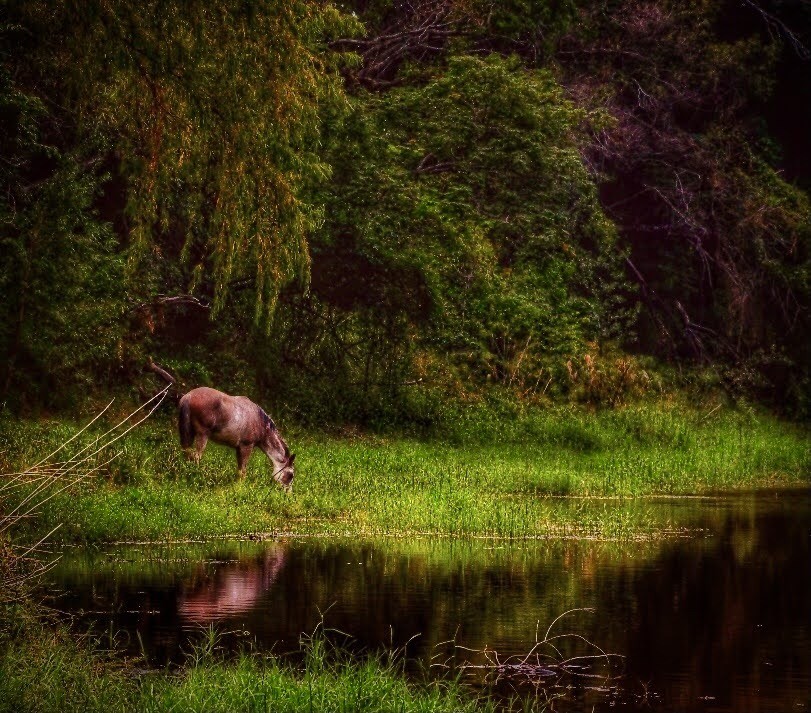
point(207, 115)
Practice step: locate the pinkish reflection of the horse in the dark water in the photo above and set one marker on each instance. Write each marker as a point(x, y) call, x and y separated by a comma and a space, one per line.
point(231, 590)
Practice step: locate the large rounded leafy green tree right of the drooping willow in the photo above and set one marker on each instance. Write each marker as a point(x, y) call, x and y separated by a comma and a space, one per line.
point(461, 221)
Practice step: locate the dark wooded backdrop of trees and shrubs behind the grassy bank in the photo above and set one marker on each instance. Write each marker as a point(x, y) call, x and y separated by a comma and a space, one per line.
point(362, 212)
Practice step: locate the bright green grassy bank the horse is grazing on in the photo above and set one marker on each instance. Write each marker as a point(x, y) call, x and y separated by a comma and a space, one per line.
point(500, 477)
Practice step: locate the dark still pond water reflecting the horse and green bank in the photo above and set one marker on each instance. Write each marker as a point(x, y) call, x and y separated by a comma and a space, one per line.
point(718, 619)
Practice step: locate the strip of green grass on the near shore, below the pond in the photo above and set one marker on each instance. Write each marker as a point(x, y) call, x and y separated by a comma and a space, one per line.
point(50, 671)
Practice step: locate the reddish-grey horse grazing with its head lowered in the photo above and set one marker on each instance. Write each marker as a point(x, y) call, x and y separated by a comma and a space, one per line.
point(234, 421)
